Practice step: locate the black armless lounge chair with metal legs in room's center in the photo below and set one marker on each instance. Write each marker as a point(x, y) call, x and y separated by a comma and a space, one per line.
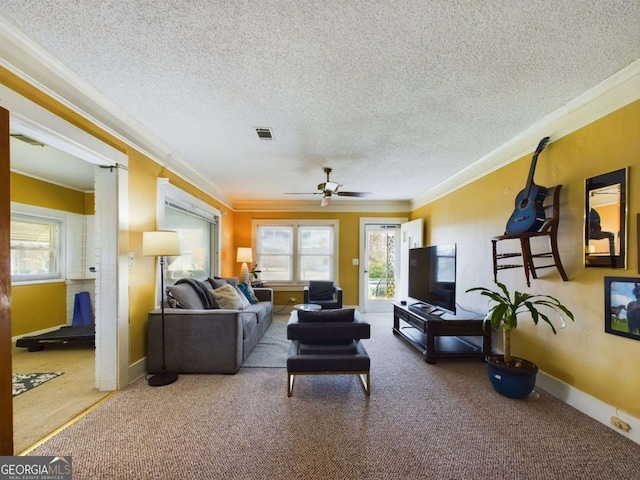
point(327, 342)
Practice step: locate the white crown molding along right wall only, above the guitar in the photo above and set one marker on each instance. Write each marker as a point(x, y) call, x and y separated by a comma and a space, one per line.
point(615, 92)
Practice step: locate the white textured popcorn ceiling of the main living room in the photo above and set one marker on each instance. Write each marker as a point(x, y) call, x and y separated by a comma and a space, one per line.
point(396, 97)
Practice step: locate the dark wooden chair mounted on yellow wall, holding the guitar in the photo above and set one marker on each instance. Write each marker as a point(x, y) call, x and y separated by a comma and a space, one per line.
point(549, 229)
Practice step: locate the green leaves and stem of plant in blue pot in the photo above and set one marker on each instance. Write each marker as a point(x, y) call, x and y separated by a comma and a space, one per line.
point(507, 307)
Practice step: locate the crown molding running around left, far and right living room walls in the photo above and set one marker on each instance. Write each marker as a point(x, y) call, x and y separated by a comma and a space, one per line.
point(30, 62)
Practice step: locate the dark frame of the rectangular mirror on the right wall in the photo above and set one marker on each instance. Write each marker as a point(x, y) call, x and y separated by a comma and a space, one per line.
point(617, 260)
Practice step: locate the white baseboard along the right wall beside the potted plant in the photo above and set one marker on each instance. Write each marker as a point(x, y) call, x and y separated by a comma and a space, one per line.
point(591, 406)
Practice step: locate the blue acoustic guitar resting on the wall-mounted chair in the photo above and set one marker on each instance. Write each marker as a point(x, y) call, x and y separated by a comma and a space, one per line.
point(528, 215)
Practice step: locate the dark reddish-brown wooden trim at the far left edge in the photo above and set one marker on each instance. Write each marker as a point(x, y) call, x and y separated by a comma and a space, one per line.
point(6, 395)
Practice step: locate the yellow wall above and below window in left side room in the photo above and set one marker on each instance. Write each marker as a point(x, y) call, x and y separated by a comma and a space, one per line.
point(50, 309)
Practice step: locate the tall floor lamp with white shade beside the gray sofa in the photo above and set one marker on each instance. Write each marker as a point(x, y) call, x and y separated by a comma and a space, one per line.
point(161, 244)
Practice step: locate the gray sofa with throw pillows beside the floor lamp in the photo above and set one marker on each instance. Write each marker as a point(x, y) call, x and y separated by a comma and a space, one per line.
point(202, 339)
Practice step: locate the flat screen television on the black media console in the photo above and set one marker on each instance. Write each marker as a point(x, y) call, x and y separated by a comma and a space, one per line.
point(432, 278)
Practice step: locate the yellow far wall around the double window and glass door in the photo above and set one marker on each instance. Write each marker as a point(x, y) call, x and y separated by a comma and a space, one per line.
point(348, 246)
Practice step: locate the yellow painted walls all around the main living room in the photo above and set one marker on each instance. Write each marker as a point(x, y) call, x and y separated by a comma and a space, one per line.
point(581, 355)
